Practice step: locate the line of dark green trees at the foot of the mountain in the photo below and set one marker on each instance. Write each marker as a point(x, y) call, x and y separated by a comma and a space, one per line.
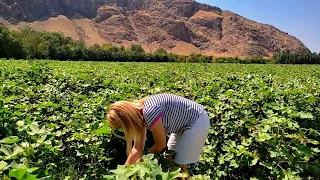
point(30, 44)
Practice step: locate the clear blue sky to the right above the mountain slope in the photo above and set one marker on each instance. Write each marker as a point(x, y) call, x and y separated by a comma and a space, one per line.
point(300, 18)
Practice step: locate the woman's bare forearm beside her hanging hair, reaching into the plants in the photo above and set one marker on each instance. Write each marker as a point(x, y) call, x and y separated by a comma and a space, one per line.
point(136, 151)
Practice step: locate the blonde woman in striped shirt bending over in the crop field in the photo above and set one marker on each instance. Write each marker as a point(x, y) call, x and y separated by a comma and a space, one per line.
point(184, 120)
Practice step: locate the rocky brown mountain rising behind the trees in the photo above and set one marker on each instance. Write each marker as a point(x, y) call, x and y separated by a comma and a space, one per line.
point(180, 26)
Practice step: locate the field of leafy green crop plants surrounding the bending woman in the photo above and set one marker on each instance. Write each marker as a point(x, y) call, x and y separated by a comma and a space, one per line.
point(265, 119)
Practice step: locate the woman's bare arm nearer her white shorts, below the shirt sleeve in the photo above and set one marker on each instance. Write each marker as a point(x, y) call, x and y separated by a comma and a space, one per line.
point(159, 137)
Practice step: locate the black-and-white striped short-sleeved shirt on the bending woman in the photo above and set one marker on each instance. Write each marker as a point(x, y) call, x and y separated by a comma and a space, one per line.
point(177, 113)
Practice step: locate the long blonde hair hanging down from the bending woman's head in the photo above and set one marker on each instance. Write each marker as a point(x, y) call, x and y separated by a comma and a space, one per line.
point(126, 115)
